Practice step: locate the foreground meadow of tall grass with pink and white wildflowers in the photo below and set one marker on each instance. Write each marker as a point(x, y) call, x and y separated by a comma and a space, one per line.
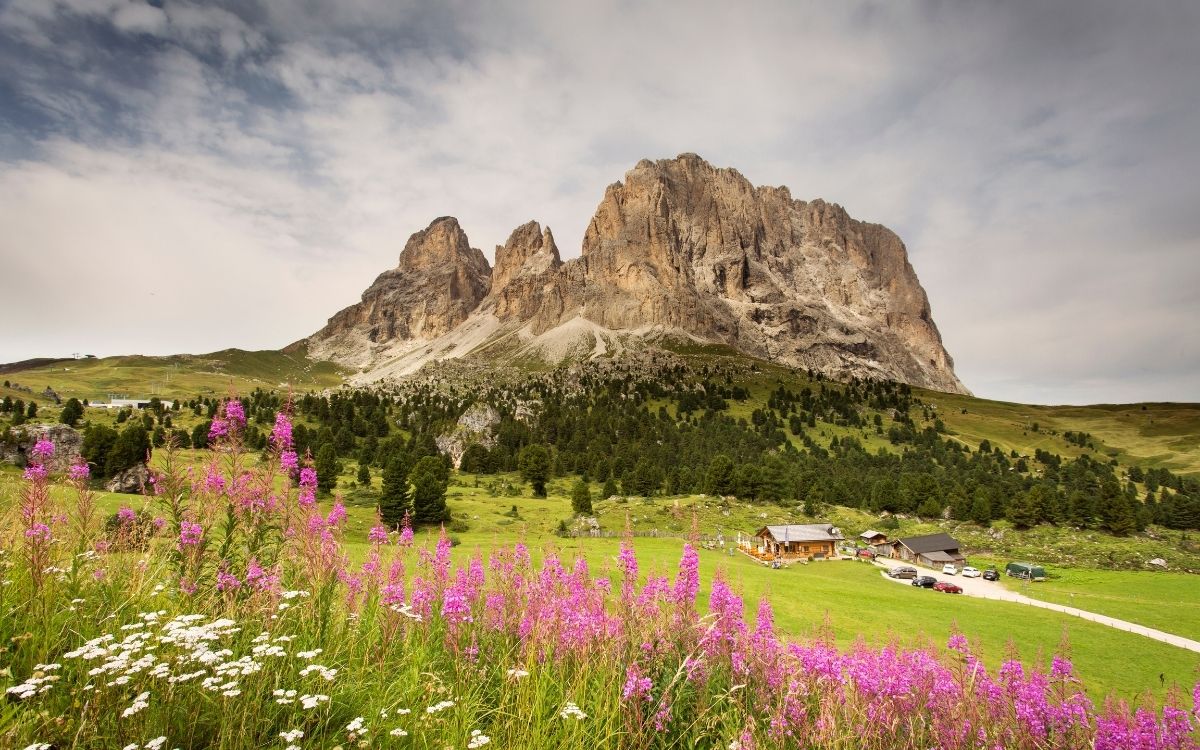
point(237, 621)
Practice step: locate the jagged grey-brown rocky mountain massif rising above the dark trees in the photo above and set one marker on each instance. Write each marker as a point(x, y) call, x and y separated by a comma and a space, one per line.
point(680, 250)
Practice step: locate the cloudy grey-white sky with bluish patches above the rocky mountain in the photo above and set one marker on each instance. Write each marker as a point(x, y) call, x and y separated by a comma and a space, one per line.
point(184, 177)
